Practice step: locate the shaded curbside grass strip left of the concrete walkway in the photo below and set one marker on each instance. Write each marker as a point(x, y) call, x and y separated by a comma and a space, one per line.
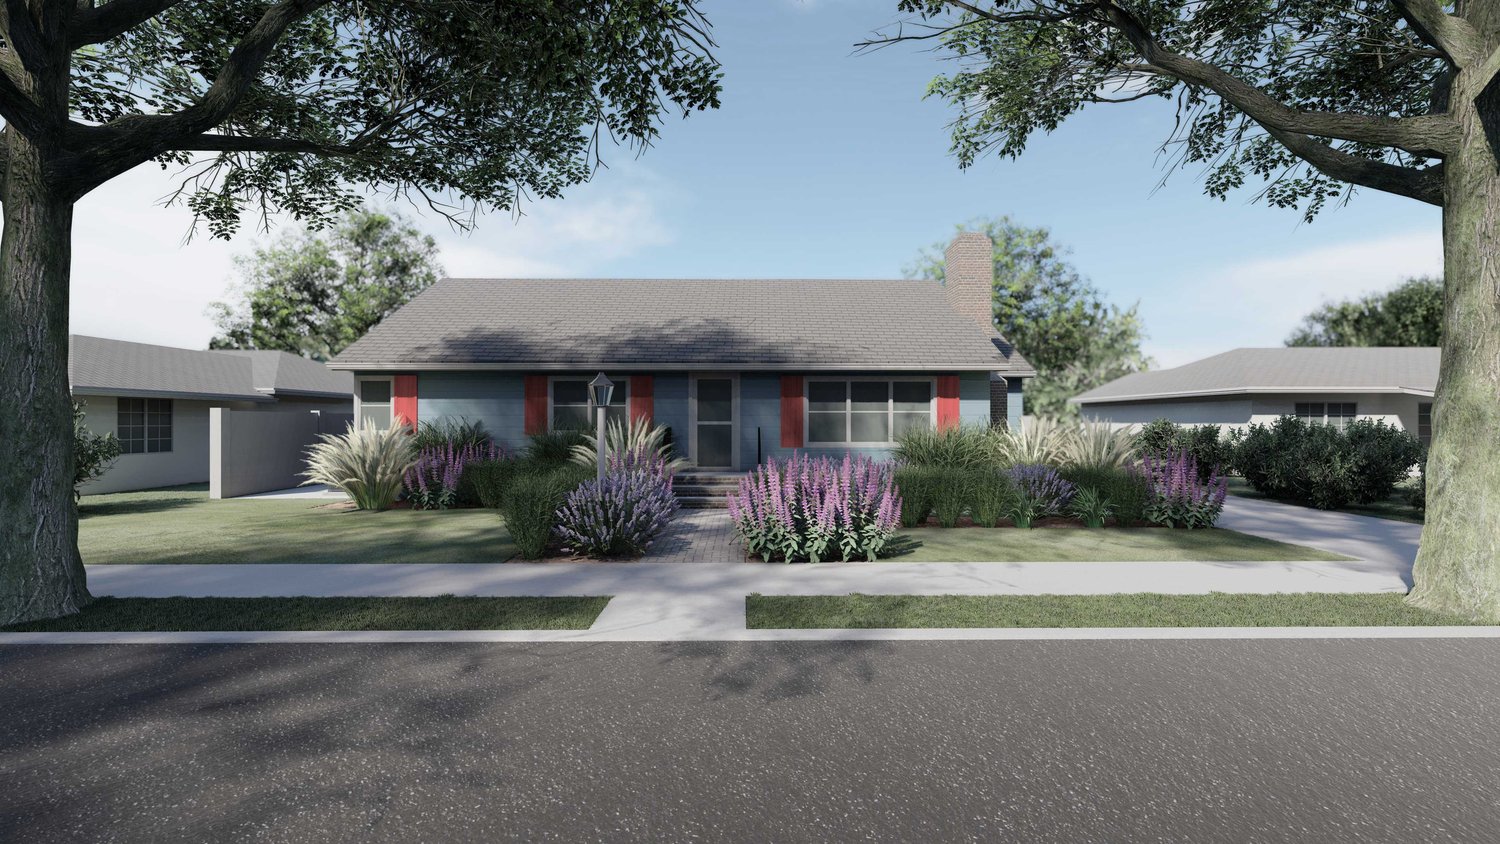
point(161, 615)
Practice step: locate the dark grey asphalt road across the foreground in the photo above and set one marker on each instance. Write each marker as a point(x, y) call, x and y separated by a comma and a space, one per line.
point(920, 741)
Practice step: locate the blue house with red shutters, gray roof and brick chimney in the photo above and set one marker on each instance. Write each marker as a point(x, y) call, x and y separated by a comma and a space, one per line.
point(739, 370)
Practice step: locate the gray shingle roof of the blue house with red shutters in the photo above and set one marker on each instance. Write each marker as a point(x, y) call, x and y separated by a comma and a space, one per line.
point(680, 325)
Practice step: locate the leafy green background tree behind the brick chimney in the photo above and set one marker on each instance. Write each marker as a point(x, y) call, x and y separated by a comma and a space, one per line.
point(1054, 316)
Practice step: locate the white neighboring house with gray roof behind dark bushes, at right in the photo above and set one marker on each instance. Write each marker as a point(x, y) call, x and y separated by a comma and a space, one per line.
point(1256, 386)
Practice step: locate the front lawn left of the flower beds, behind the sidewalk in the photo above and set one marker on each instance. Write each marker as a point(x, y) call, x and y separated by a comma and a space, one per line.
point(184, 525)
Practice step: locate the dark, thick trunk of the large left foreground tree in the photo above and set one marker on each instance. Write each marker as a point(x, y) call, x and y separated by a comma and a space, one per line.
point(41, 573)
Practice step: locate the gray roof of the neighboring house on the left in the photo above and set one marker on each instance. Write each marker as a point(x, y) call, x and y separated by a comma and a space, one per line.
point(119, 368)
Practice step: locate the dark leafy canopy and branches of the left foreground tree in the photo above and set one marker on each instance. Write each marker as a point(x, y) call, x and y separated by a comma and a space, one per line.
point(299, 106)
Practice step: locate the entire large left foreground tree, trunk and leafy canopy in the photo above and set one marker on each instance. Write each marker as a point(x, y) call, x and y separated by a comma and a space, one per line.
point(293, 106)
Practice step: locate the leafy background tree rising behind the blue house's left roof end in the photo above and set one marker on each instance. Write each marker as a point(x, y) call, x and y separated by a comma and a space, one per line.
point(316, 293)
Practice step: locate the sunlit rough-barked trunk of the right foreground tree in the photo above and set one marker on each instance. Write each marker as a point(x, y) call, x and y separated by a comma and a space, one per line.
point(1459, 564)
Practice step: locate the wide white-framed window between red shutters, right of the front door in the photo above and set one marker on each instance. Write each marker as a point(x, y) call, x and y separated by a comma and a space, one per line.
point(868, 412)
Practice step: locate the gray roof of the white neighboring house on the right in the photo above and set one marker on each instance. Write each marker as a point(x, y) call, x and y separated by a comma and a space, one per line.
point(1282, 371)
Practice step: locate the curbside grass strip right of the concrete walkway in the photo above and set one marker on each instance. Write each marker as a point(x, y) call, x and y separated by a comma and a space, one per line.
point(1219, 609)
